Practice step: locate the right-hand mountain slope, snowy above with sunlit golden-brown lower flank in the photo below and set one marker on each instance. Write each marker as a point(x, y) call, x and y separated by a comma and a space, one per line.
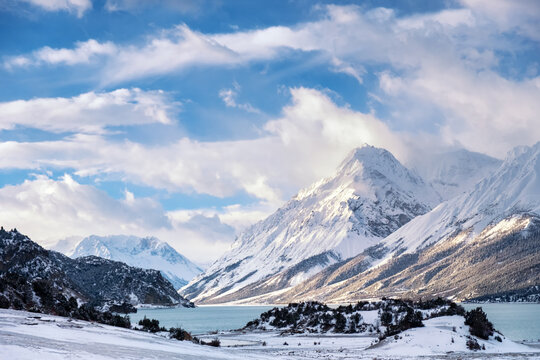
point(483, 242)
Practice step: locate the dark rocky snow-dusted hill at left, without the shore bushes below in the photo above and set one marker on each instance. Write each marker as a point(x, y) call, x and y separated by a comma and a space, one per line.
point(27, 269)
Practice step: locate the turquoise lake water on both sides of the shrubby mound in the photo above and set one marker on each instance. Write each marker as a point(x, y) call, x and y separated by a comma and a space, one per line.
point(517, 321)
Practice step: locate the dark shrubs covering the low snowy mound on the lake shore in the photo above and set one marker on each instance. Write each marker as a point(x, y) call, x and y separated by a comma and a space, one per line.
point(393, 317)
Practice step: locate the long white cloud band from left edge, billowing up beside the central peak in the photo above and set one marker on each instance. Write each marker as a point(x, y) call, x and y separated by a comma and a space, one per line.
point(306, 143)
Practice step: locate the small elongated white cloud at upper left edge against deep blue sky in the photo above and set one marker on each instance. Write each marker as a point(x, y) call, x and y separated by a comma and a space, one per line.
point(83, 53)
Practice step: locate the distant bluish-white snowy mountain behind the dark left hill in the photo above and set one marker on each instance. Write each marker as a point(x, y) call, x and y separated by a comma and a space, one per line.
point(146, 253)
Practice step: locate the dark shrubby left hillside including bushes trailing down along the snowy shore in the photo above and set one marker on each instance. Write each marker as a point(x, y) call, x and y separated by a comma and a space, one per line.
point(88, 288)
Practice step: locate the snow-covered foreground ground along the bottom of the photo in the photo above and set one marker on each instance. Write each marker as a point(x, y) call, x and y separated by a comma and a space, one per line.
point(24, 336)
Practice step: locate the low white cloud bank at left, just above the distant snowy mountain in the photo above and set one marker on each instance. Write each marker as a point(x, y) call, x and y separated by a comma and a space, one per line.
point(34, 206)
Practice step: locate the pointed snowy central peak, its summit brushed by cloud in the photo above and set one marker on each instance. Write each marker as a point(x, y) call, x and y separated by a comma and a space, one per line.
point(370, 196)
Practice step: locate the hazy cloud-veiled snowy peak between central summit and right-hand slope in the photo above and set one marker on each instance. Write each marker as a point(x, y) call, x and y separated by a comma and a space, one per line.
point(453, 173)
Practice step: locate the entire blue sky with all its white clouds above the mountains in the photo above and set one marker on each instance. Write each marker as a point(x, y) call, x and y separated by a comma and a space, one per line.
point(190, 120)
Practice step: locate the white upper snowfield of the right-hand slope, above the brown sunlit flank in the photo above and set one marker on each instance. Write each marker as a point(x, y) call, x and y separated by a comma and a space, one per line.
point(514, 188)
